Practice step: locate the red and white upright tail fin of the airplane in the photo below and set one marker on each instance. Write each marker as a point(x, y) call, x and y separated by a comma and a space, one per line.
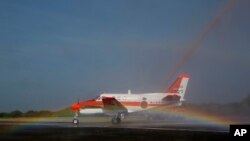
point(178, 88)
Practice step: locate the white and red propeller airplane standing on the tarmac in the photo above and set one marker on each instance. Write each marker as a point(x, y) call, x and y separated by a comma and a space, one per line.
point(117, 105)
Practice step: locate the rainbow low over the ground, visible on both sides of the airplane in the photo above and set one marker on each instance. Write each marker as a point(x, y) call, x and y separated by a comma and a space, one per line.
point(188, 114)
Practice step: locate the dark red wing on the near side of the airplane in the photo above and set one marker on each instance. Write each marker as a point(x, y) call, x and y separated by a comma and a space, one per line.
point(110, 104)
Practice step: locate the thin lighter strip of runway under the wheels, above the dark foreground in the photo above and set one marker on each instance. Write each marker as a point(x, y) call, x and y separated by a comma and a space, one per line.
point(185, 126)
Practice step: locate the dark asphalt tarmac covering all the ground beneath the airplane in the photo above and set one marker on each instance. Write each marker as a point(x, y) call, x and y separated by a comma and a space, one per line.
point(143, 131)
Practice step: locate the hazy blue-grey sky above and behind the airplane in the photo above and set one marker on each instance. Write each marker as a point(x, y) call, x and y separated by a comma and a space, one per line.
point(54, 52)
